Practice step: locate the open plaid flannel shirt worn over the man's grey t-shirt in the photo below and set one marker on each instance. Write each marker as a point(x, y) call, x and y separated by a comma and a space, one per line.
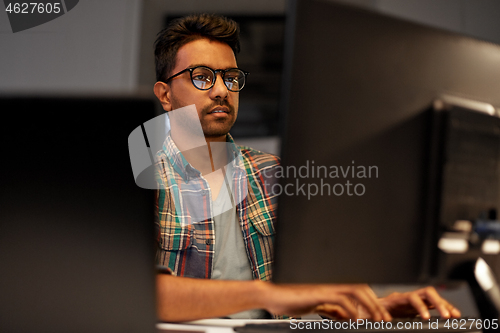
point(185, 241)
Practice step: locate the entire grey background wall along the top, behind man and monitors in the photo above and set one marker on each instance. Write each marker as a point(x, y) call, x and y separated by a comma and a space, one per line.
point(106, 45)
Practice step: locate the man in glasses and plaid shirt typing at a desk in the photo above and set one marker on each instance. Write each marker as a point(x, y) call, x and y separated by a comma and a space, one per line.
point(219, 254)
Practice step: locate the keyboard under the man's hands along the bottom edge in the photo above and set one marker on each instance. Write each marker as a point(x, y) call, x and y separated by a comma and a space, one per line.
point(407, 325)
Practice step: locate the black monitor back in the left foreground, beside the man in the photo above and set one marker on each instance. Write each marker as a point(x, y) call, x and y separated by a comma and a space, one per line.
point(76, 232)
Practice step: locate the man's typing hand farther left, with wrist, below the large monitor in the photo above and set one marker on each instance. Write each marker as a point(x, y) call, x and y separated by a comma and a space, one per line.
point(337, 301)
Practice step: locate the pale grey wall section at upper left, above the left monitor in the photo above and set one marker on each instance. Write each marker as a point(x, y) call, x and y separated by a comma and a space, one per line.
point(91, 49)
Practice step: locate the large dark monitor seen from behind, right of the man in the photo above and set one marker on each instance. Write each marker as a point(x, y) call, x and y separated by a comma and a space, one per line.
point(356, 149)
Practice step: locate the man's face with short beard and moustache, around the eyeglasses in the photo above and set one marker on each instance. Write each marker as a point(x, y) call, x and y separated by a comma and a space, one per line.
point(209, 103)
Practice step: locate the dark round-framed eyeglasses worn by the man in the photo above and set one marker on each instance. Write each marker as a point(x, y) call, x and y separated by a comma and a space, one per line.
point(203, 77)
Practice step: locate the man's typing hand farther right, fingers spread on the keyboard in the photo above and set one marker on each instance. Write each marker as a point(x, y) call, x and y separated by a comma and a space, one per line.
point(418, 302)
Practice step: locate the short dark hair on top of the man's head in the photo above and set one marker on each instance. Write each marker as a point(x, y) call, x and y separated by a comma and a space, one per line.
point(187, 29)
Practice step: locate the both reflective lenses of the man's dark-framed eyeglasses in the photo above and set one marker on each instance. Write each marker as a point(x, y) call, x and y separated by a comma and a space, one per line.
point(204, 78)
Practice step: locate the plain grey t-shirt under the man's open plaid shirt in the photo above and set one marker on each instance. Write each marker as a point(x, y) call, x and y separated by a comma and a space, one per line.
point(230, 259)
